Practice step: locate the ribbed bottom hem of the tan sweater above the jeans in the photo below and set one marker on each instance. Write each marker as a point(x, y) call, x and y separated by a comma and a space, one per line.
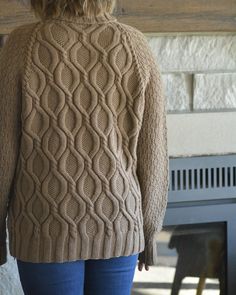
point(40, 248)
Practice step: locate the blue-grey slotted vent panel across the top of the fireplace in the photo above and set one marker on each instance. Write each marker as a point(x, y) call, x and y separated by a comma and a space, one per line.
point(215, 175)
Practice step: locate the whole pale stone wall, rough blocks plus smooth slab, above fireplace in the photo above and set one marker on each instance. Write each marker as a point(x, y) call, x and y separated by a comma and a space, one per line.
point(199, 76)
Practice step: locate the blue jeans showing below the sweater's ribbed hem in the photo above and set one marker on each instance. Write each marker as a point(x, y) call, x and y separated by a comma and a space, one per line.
point(81, 277)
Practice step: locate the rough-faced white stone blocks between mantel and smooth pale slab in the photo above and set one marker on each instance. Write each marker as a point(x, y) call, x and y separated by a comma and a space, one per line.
point(199, 72)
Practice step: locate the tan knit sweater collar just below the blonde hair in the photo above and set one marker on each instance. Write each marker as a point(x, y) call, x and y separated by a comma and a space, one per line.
point(102, 18)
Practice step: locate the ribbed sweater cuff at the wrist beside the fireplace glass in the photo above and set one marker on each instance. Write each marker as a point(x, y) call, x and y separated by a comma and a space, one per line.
point(149, 255)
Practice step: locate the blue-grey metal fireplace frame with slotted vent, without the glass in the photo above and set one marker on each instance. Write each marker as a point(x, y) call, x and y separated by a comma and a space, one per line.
point(203, 189)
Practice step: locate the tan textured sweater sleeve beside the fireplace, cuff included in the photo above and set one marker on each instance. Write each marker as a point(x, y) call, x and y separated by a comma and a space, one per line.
point(152, 156)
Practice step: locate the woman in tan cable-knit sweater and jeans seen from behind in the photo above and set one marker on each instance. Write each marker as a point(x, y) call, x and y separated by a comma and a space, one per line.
point(83, 143)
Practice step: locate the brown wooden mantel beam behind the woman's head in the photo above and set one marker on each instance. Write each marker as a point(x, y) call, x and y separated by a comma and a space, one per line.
point(148, 16)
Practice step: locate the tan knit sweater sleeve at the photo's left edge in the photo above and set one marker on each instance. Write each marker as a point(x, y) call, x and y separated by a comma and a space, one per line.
point(10, 98)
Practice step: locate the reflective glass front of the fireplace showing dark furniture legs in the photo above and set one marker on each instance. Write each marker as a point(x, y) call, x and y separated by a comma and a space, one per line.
point(192, 260)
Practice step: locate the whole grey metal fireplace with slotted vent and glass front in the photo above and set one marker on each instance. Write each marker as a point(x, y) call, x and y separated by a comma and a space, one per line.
point(197, 245)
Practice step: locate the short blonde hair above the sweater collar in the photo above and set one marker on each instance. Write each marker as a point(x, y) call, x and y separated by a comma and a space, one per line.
point(54, 8)
